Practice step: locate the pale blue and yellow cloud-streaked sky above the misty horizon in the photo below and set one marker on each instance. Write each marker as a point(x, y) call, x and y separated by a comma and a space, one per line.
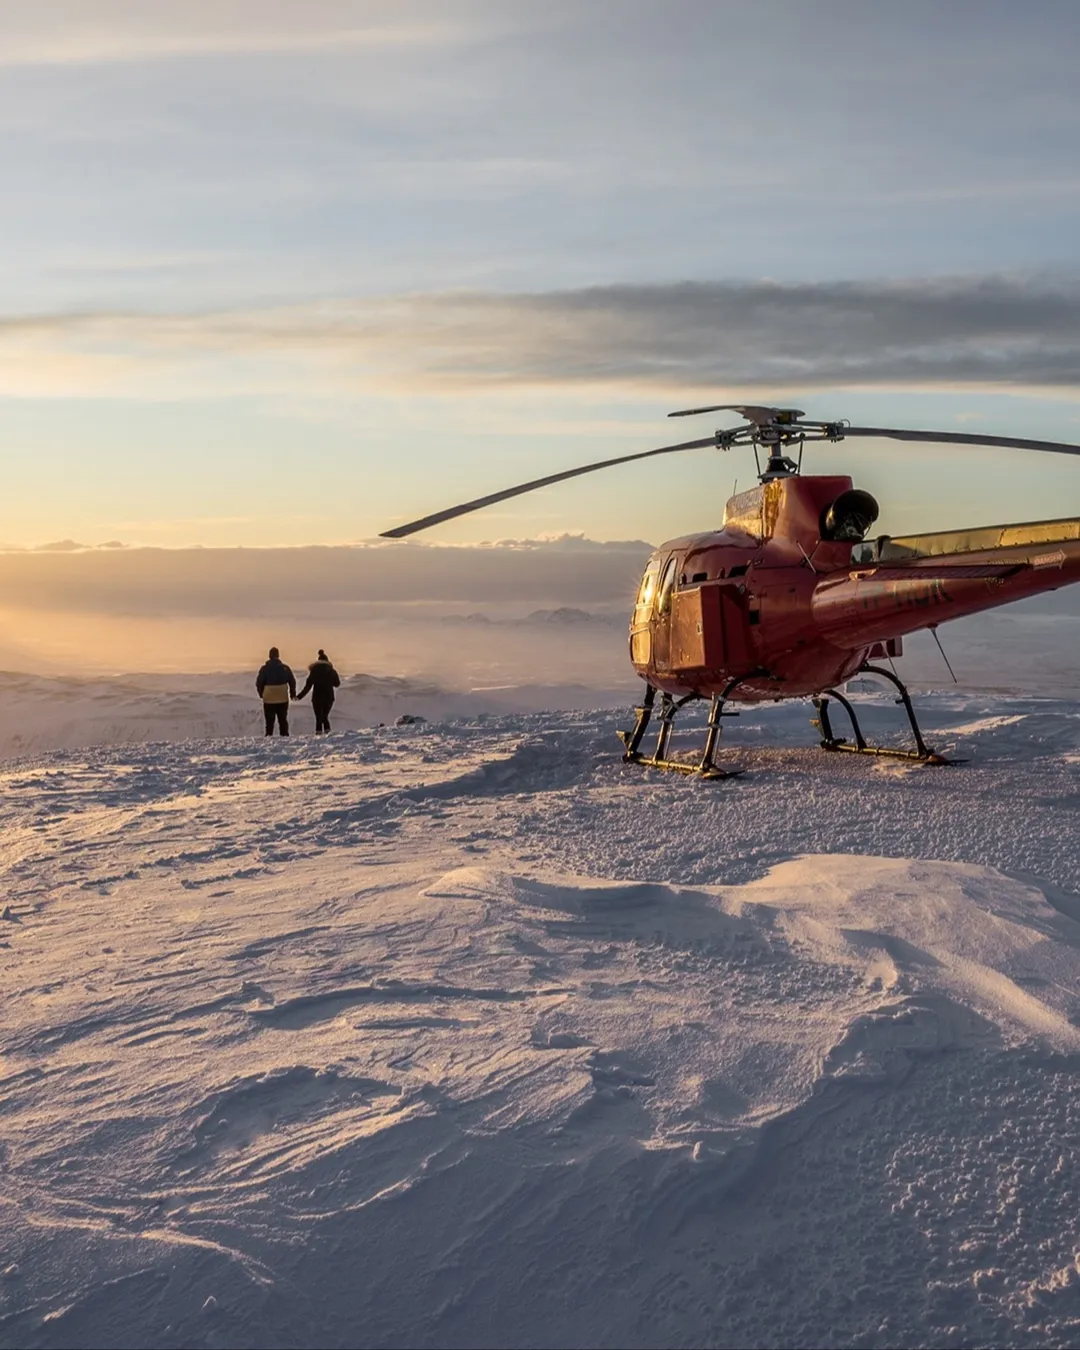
point(287, 273)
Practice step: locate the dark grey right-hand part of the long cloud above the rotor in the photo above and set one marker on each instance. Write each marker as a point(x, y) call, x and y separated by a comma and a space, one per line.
point(921, 333)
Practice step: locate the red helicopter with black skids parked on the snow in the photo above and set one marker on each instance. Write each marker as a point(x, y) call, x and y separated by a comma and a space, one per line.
point(790, 599)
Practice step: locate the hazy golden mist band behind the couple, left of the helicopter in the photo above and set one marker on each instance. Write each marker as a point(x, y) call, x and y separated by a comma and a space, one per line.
point(537, 611)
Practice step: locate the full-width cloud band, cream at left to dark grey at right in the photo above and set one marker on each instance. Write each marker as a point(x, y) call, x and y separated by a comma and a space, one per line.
point(924, 333)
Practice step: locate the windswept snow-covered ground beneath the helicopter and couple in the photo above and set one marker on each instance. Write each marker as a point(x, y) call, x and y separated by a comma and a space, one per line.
point(468, 1035)
